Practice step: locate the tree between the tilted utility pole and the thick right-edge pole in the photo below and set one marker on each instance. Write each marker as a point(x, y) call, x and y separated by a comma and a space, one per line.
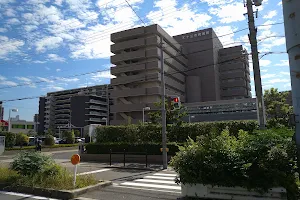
point(275, 103)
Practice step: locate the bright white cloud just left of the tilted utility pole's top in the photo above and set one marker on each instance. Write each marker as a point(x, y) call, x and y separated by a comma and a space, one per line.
point(229, 13)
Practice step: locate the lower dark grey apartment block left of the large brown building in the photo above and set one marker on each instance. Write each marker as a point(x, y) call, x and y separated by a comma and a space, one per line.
point(76, 107)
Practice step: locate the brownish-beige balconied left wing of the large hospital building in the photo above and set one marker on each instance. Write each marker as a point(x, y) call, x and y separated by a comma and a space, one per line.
point(138, 80)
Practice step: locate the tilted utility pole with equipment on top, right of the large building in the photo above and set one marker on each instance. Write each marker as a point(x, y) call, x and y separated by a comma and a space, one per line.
point(256, 69)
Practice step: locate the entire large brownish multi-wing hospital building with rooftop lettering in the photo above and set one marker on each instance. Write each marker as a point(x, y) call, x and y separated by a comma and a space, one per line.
point(196, 66)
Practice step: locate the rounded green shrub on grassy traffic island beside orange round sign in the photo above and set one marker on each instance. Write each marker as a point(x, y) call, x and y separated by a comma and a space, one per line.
point(28, 163)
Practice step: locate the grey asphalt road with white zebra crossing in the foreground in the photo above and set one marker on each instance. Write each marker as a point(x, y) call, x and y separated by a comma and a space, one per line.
point(122, 179)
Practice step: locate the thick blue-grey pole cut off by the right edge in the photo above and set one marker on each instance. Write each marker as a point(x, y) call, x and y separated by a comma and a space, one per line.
point(291, 13)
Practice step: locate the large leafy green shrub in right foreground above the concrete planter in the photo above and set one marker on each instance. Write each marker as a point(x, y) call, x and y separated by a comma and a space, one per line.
point(258, 161)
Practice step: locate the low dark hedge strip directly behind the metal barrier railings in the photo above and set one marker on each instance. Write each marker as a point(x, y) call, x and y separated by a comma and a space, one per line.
point(151, 149)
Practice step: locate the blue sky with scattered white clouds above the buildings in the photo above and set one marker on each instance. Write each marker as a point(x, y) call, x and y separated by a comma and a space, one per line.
point(53, 41)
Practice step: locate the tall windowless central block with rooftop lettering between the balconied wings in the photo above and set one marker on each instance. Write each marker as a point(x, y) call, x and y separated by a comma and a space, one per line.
point(201, 51)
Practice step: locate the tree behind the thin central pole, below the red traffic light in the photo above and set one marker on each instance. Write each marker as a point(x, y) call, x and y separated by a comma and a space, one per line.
point(171, 116)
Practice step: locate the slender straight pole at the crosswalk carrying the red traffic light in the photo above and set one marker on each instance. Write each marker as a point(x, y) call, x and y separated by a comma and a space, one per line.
point(163, 109)
